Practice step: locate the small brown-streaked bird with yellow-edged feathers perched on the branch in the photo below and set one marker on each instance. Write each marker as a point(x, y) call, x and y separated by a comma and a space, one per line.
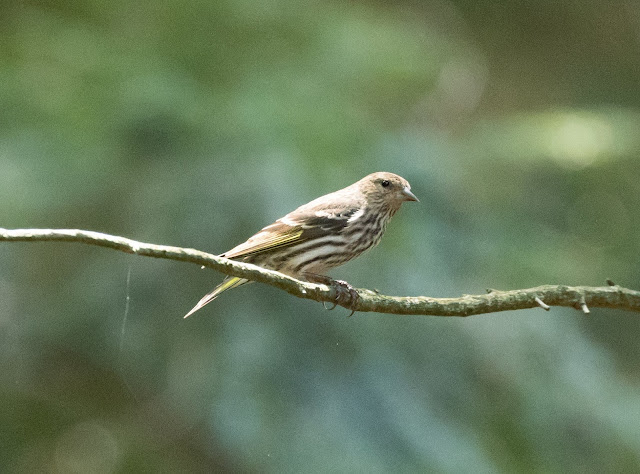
point(322, 234)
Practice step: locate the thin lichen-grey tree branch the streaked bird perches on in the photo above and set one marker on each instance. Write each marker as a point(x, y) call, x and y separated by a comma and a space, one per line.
point(579, 297)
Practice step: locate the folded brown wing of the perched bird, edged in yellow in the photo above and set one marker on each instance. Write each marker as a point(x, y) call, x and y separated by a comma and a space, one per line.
point(298, 226)
